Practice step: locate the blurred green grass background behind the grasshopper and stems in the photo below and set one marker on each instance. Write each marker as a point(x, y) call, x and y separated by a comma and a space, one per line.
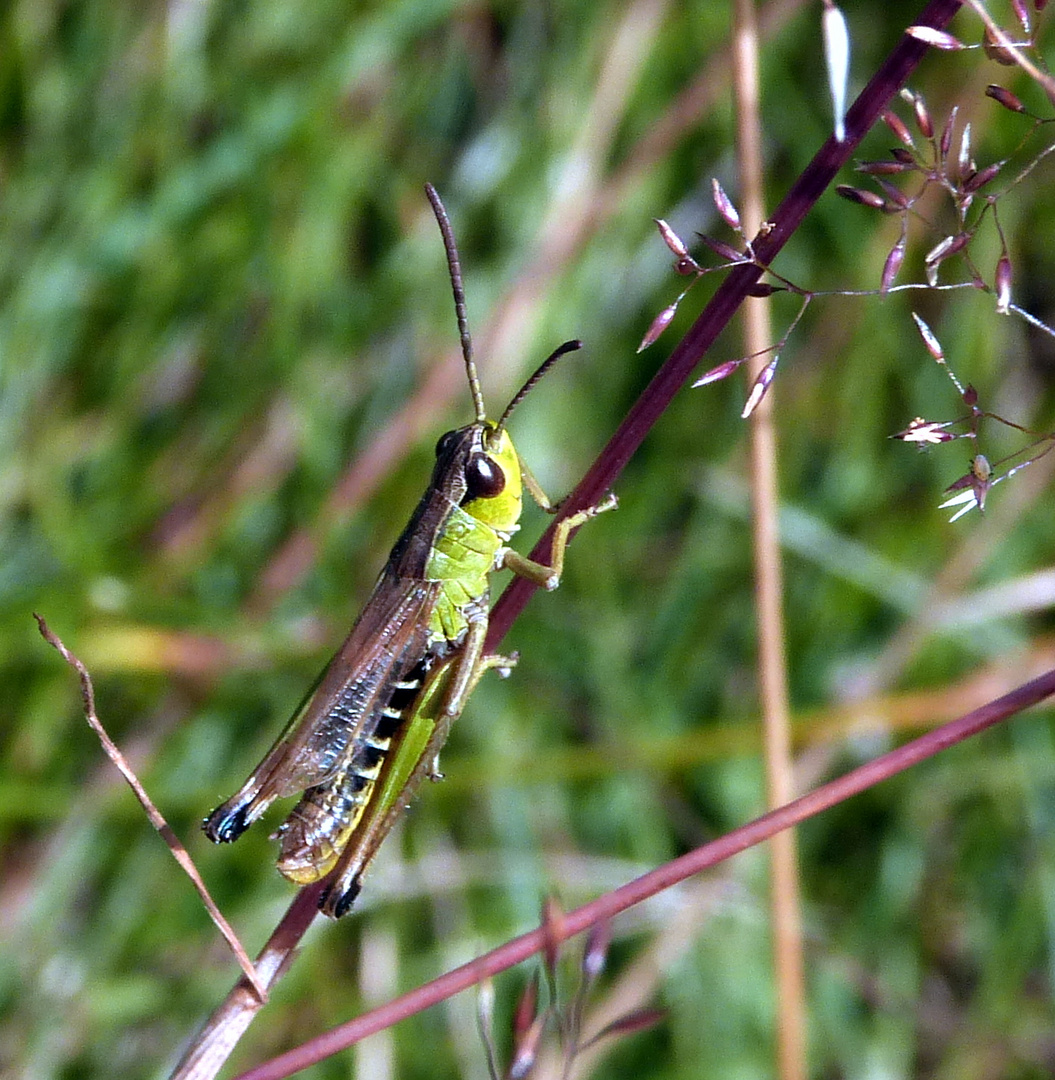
point(221, 288)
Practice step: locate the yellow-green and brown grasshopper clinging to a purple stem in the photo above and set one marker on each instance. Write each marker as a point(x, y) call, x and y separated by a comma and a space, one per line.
point(372, 727)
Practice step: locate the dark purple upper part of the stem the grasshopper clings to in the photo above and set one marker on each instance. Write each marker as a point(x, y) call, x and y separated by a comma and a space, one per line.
point(731, 294)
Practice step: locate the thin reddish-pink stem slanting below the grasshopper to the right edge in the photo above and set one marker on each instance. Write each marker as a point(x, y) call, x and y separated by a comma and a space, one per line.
point(610, 906)
